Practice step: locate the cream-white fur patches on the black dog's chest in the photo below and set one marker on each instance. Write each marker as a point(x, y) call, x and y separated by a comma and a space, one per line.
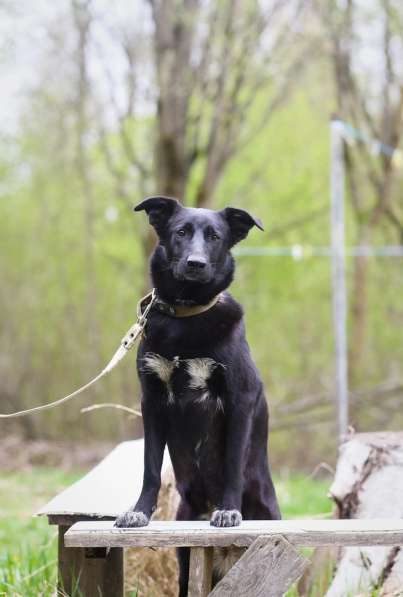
point(198, 370)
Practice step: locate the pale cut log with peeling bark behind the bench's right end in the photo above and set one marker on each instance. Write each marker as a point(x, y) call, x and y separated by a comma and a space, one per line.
point(369, 484)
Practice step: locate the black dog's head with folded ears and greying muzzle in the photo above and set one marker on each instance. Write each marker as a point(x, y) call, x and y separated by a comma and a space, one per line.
point(197, 241)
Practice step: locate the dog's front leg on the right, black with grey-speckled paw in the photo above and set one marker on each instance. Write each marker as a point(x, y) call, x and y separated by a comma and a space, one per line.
point(228, 514)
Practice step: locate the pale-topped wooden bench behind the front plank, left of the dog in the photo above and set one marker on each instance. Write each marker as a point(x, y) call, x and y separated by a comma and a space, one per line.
point(109, 488)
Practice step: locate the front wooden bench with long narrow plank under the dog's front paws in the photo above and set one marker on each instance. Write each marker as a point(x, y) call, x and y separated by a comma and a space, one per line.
point(268, 563)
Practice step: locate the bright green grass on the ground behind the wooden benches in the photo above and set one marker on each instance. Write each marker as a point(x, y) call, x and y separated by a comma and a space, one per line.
point(29, 545)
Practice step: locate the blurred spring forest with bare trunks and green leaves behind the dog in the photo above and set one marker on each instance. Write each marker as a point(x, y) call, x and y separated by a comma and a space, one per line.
point(217, 103)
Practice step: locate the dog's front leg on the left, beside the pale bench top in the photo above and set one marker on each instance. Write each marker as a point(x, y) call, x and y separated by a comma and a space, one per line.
point(154, 445)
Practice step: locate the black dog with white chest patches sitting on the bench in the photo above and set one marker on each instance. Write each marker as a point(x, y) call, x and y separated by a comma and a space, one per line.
point(201, 393)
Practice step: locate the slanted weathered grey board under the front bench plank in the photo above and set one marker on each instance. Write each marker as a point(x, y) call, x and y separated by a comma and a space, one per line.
point(267, 569)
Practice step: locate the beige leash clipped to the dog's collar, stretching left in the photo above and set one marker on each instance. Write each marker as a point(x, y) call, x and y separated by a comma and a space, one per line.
point(127, 342)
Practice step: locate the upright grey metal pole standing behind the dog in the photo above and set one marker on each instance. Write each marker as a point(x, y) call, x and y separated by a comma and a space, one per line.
point(337, 182)
